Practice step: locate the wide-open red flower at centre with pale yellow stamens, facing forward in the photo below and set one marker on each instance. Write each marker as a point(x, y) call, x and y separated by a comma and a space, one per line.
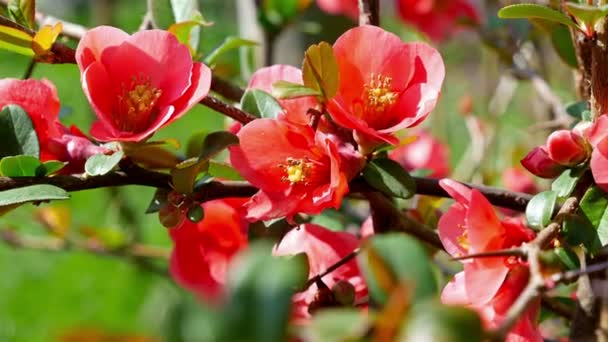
point(296, 170)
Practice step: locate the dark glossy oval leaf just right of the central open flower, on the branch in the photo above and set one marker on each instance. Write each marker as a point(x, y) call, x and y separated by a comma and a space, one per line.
point(390, 178)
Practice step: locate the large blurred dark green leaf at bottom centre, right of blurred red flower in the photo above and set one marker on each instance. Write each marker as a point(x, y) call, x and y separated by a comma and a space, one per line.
point(259, 294)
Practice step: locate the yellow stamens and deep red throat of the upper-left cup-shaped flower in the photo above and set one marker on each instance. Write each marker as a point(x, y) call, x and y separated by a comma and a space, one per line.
point(136, 105)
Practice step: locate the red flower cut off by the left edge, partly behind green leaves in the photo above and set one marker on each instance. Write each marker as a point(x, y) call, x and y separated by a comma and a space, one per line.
point(39, 99)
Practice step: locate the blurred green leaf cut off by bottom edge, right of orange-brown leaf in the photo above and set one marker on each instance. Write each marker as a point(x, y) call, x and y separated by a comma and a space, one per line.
point(432, 321)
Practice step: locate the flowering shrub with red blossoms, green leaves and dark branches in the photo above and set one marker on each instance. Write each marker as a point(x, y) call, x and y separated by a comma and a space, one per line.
point(323, 209)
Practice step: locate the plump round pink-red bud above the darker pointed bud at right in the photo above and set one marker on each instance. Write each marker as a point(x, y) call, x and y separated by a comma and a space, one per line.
point(567, 148)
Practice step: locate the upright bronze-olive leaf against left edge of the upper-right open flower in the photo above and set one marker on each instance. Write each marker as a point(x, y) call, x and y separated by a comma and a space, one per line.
point(320, 70)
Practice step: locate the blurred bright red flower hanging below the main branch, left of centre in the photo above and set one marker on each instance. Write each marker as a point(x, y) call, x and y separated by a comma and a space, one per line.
point(203, 250)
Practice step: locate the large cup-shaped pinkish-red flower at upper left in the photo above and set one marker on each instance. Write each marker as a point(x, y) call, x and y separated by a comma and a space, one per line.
point(138, 84)
